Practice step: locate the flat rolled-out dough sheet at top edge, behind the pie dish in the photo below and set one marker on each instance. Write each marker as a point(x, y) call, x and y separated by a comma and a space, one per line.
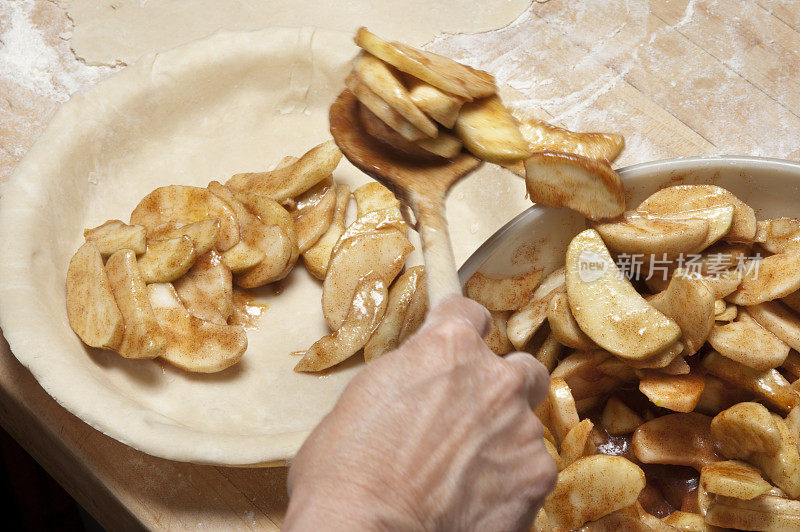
point(113, 31)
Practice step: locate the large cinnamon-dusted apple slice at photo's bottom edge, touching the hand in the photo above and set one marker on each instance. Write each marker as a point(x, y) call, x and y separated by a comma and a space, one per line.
point(592, 487)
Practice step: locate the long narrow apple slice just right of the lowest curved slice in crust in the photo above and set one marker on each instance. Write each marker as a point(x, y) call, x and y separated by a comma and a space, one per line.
point(401, 296)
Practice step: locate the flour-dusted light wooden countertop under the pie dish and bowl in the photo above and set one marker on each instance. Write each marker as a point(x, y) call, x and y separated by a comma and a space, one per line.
point(680, 77)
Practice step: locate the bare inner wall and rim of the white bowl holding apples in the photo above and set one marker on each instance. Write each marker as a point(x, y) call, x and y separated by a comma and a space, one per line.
point(538, 237)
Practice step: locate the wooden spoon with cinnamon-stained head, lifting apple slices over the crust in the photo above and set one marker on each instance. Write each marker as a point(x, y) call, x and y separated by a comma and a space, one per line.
point(421, 183)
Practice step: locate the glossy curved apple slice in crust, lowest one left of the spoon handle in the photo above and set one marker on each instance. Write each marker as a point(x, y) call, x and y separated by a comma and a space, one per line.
point(368, 306)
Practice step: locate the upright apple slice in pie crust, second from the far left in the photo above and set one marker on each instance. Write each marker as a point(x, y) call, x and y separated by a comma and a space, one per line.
point(143, 337)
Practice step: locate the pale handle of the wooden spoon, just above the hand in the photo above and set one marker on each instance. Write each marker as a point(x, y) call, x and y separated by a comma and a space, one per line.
point(440, 263)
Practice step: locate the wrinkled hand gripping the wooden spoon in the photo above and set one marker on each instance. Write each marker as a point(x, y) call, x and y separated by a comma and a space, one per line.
point(437, 435)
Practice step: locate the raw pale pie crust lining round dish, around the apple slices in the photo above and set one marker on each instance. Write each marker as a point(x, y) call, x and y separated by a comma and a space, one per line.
point(231, 103)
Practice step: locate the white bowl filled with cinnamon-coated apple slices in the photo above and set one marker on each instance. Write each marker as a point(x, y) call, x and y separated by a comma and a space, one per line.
point(670, 332)
